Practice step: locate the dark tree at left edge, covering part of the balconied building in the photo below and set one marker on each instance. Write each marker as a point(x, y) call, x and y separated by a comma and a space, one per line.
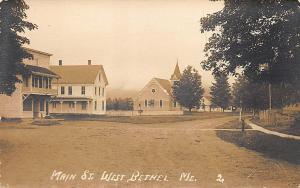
point(12, 24)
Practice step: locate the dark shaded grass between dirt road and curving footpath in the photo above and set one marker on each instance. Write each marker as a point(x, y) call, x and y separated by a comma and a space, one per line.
point(269, 145)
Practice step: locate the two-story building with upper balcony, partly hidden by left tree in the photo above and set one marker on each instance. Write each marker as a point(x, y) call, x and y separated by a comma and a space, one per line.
point(31, 97)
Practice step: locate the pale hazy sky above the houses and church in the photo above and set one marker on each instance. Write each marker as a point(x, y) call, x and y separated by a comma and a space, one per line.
point(135, 40)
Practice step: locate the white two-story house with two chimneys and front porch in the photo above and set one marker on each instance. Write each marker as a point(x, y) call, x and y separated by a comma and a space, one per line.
point(81, 89)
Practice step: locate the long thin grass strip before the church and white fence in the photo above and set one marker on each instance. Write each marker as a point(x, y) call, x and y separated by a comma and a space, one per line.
point(150, 119)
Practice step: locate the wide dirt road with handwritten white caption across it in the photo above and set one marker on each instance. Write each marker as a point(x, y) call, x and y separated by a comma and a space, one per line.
point(165, 152)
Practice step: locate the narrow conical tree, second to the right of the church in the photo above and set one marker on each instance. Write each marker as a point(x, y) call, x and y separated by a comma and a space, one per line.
point(220, 92)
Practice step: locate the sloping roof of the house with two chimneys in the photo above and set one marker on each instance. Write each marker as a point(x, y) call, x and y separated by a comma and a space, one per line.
point(78, 74)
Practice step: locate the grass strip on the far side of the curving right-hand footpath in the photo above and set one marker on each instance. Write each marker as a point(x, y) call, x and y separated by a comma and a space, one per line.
point(282, 128)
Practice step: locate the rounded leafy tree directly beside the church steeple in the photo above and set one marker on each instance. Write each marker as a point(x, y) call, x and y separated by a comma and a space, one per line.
point(188, 90)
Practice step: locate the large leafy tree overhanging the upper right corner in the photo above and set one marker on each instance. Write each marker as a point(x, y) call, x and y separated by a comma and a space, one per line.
point(251, 33)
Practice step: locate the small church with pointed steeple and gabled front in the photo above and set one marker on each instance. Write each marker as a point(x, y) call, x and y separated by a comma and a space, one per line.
point(157, 96)
